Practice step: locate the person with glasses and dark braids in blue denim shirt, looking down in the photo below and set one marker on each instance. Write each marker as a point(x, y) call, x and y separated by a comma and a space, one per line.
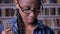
point(27, 22)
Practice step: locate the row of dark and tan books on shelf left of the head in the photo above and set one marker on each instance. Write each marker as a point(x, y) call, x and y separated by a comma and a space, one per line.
point(7, 12)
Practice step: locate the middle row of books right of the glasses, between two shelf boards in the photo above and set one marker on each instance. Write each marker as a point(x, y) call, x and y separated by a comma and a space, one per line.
point(50, 11)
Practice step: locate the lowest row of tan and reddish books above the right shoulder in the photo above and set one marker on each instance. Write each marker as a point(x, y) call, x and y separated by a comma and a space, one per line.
point(51, 22)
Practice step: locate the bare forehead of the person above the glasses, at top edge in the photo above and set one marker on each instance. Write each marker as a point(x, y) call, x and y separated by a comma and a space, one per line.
point(28, 2)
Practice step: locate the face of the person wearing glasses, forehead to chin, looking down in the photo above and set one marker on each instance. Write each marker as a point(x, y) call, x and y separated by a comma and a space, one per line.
point(28, 9)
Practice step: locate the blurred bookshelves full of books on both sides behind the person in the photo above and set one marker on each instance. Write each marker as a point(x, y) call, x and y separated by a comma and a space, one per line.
point(50, 15)
